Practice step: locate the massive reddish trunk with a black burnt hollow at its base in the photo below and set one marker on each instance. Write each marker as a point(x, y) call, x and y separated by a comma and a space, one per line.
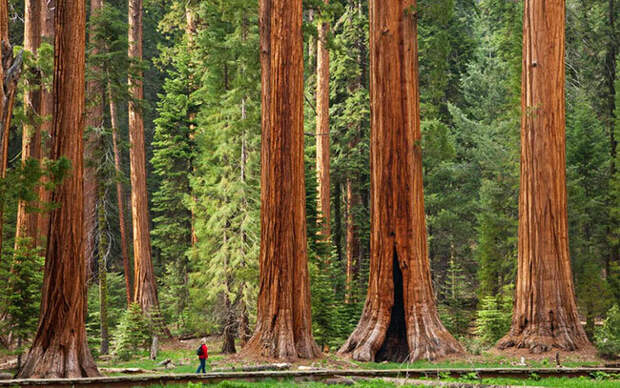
point(400, 320)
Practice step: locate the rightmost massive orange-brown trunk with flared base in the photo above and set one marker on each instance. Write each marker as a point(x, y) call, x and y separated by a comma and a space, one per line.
point(545, 313)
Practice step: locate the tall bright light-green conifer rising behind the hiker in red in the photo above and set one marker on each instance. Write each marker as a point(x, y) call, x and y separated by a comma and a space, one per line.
point(226, 178)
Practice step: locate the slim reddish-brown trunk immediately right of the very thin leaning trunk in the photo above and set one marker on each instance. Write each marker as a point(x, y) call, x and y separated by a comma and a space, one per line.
point(145, 291)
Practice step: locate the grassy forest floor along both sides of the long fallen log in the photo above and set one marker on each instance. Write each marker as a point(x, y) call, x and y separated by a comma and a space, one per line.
point(179, 356)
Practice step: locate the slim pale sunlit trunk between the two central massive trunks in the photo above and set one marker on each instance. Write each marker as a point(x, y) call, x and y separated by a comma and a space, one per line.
point(322, 131)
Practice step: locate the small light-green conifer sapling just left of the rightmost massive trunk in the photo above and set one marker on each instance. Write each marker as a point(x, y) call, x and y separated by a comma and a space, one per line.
point(494, 318)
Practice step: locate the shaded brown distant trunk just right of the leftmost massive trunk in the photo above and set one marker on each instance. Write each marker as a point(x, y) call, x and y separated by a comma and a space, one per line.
point(94, 123)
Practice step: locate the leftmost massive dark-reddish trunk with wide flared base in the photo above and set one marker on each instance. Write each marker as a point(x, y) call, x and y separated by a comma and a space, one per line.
point(60, 348)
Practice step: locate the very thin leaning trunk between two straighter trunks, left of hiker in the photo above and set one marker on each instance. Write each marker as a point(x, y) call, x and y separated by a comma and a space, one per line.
point(119, 194)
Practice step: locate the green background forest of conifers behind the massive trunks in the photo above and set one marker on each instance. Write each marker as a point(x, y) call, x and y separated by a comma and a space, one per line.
point(202, 117)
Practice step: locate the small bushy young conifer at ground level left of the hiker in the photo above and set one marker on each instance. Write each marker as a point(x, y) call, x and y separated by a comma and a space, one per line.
point(132, 334)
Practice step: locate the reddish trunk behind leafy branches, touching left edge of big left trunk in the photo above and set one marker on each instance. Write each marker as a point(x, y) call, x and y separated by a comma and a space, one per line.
point(47, 110)
